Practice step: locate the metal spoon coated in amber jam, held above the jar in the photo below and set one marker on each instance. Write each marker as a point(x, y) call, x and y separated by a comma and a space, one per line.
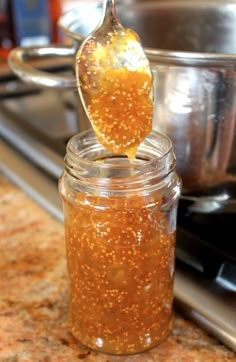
point(115, 84)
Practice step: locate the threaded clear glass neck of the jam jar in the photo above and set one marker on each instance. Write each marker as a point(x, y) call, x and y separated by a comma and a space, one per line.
point(93, 168)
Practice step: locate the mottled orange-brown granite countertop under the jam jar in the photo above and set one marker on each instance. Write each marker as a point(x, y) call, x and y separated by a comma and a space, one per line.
point(34, 296)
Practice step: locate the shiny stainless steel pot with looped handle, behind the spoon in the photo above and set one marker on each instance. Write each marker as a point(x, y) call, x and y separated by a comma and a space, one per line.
point(192, 49)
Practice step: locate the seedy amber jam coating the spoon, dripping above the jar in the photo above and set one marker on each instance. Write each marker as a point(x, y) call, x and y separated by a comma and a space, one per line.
point(119, 99)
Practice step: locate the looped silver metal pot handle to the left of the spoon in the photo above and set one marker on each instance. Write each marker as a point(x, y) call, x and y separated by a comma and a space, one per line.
point(17, 61)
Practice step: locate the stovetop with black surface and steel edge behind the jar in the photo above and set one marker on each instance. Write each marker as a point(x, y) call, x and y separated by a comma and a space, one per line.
point(36, 124)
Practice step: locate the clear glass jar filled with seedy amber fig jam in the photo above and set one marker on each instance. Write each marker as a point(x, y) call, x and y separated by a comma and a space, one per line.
point(120, 223)
